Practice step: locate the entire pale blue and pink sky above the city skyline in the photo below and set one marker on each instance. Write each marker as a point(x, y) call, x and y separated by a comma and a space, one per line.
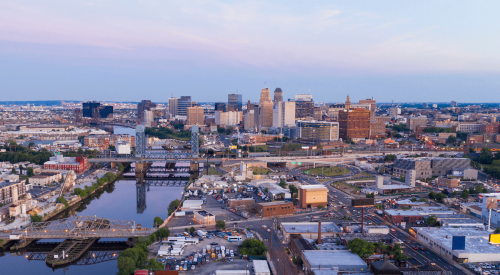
point(123, 50)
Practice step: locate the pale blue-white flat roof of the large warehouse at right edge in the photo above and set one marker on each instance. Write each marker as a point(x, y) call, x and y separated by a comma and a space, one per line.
point(476, 241)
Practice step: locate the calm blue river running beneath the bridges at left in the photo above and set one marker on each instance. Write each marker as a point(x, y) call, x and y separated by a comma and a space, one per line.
point(117, 201)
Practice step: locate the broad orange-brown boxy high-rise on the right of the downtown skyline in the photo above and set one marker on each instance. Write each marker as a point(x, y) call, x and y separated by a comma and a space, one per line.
point(354, 123)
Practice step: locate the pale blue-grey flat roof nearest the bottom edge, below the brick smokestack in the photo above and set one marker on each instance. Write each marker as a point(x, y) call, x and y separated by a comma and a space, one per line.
point(332, 258)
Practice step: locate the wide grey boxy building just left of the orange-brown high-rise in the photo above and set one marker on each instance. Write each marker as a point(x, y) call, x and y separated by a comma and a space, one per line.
point(317, 130)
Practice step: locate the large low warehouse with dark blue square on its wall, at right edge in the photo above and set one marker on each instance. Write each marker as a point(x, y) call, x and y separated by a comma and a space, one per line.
point(460, 244)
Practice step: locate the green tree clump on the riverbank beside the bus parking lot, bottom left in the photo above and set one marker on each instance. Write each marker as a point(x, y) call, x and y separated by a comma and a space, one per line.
point(134, 258)
